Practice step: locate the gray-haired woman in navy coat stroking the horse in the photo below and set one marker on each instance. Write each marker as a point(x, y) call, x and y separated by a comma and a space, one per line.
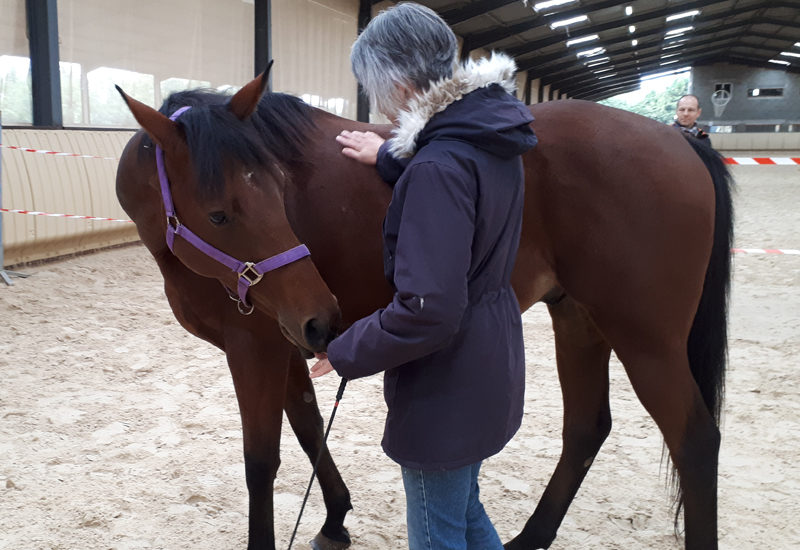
point(450, 342)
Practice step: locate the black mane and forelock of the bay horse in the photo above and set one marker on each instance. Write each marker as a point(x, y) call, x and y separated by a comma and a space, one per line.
point(273, 136)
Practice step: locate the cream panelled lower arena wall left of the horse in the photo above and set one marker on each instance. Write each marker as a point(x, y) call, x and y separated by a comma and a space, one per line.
point(61, 185)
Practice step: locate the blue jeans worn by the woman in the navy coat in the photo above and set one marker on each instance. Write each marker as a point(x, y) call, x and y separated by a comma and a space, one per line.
point(443, 511)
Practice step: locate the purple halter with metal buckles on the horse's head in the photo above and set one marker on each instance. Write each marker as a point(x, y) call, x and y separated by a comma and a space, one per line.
point(249, 273)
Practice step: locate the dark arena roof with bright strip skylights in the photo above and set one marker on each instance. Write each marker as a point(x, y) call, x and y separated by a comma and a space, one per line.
point(625, 41)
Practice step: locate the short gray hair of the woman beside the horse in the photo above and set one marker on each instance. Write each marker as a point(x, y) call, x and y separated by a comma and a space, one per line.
point(406, 45)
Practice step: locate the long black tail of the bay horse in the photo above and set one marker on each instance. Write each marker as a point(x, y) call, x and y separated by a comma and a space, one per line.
point(708, 338)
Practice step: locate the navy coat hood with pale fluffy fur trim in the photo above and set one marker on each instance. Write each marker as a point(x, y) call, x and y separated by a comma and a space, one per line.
point(491, 118)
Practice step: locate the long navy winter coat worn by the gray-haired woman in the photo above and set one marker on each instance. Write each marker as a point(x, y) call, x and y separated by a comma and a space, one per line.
point(450, 342)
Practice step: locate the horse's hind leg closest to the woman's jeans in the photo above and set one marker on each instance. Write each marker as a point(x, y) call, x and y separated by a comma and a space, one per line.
point(582, 356)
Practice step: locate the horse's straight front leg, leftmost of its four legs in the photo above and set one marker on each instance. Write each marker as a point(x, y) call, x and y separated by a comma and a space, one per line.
point(258, 359)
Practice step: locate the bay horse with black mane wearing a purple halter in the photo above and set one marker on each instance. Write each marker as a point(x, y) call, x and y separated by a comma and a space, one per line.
point(626, 237)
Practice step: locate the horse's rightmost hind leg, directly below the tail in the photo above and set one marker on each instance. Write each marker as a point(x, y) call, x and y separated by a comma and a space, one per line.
point(664, 384)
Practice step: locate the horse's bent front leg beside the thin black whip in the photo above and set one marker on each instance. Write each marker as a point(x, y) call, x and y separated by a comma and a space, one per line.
point(304, 416)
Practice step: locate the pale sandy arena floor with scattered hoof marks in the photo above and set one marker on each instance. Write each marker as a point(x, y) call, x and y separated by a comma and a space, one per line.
point(119, 430)
